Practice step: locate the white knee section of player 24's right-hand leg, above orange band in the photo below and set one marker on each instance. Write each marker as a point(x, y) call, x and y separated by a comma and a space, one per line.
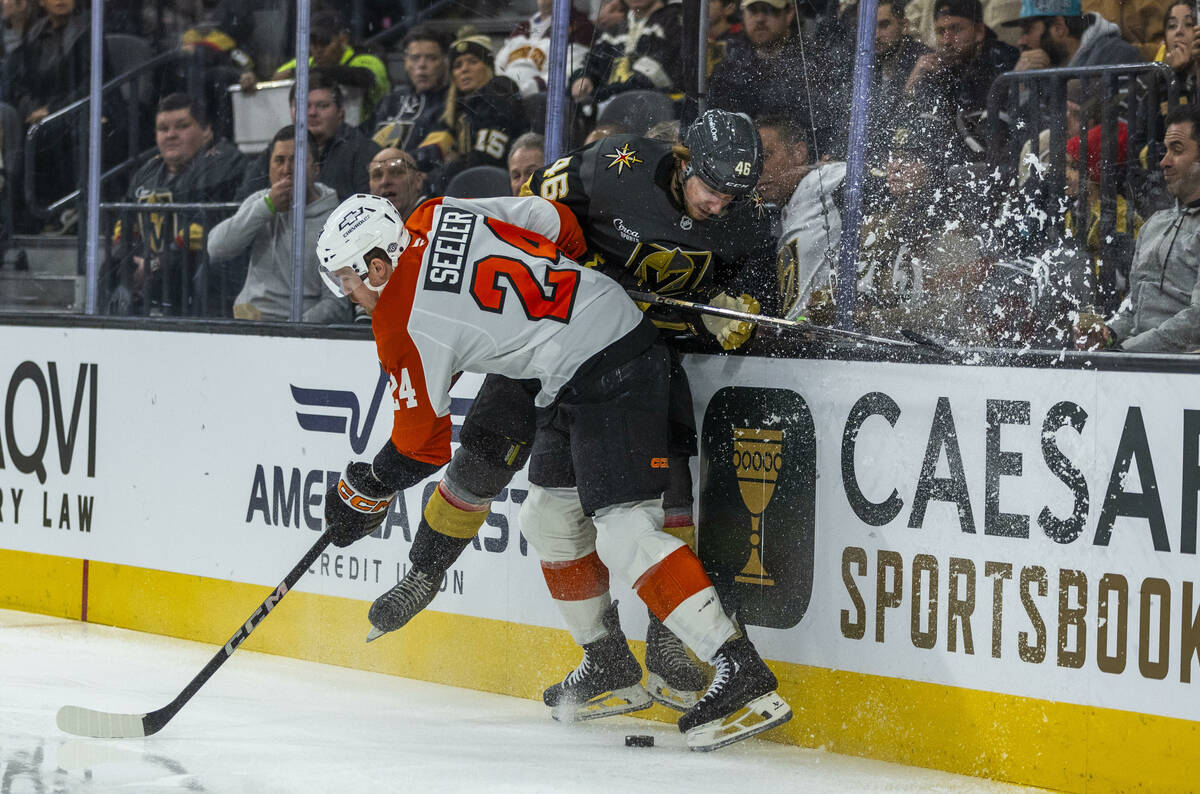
point(629, 538)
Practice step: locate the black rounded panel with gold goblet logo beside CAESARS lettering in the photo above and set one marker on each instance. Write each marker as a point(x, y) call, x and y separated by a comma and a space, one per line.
point(758, 503)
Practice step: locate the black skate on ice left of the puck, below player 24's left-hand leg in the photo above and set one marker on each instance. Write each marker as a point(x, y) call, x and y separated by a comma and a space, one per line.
point(607, 683)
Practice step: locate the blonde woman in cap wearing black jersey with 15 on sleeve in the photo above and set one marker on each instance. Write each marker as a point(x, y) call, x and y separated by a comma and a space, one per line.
point(482, 118)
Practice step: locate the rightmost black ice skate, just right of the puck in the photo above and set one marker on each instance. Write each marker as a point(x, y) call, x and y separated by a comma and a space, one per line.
point(740, 703)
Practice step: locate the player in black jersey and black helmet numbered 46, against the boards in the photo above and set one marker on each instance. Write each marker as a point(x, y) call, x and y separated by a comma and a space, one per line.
point(681, 221)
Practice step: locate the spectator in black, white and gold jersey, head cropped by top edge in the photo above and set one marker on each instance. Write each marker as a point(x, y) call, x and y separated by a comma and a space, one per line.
point(641, 53)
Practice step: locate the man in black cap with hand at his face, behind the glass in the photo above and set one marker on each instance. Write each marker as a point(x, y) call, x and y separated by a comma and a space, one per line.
point(955, 80)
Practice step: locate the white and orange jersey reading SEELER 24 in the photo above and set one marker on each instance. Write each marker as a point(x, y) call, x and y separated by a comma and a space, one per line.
point(487, 287)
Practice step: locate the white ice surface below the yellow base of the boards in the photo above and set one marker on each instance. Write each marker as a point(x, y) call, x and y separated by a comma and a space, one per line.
point(273, 725)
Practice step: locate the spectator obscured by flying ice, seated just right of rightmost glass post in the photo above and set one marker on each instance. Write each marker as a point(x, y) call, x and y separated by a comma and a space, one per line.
point(919, 266)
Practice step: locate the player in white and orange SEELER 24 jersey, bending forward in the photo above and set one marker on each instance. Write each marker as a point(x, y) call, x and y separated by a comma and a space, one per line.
point(458, 290)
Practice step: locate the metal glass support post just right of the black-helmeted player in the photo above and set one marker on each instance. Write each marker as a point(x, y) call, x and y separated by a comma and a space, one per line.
point(865, 68)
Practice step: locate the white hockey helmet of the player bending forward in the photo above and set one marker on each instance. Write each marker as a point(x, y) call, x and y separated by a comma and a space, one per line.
point(361, 225)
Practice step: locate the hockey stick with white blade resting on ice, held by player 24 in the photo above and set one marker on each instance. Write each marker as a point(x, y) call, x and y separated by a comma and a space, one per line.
point(105, 725)
